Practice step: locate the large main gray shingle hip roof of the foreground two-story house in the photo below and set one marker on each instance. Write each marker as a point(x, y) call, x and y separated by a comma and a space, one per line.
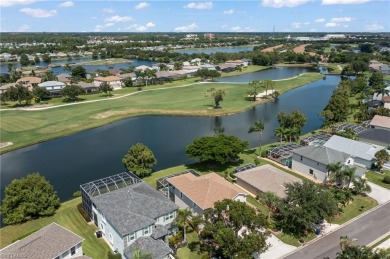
point(134, 207)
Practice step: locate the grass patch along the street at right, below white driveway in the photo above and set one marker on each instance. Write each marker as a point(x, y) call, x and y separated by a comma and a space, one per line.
point(359, 205)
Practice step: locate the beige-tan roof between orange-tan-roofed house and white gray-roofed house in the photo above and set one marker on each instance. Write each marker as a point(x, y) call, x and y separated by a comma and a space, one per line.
point(267, 178)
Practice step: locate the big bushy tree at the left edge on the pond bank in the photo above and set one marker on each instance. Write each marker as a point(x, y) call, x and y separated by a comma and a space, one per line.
point(28, 198)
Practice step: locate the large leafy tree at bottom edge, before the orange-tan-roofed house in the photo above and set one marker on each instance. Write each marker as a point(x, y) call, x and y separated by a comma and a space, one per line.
point(232, 229)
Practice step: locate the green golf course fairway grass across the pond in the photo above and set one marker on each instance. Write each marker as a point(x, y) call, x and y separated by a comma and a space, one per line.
point(29, 127)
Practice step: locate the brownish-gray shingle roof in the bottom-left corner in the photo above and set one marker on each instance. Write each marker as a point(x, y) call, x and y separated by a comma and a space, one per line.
point(48, 242)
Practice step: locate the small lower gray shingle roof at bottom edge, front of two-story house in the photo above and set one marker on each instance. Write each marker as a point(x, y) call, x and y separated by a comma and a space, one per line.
point(157, 248)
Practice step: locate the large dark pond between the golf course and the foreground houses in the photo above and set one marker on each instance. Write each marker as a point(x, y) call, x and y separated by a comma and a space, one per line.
point(70, 161)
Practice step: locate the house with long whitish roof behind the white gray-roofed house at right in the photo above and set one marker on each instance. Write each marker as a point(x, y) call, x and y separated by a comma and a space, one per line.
point(363, 153)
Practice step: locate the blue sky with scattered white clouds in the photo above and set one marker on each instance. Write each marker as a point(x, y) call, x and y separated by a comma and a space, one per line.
point(195, 16)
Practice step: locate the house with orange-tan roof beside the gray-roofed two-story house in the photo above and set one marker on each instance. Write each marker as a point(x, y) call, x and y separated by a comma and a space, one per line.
point(199, 193)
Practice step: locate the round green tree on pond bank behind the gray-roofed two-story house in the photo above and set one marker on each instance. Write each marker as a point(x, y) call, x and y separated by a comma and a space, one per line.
point(139, 160)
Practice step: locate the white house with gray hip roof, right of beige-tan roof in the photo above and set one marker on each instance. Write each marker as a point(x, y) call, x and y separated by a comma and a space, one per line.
point(313, 161)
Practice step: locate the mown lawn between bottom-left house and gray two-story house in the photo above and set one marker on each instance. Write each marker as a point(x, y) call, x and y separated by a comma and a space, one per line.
point(66, 216)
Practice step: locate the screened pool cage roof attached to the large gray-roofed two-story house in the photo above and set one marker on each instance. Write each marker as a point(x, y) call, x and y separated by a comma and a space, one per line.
point(109, 184)
